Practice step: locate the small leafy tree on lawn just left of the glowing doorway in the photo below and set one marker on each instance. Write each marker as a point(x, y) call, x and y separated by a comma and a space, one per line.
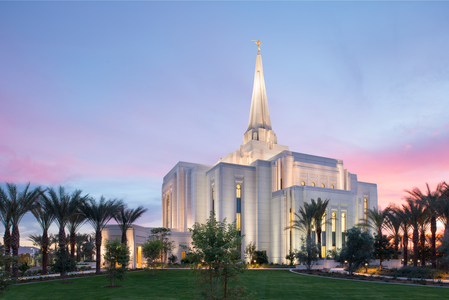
point(116, 261)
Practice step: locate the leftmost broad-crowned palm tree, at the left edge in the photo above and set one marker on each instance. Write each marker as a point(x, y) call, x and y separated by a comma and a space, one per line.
point(19, 204)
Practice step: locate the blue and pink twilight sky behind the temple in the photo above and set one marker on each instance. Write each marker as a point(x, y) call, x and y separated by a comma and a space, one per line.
point(107, 97)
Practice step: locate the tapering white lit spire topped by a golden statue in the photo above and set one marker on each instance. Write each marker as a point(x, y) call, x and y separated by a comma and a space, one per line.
point(259, 125)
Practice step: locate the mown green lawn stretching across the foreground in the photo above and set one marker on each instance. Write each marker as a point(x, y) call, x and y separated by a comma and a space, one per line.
point(268, 284)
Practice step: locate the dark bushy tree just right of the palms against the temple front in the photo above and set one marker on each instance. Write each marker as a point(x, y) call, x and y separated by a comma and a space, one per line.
point(357, 250)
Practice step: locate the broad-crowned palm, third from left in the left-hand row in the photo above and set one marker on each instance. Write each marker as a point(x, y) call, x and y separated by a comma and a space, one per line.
point(63, 205)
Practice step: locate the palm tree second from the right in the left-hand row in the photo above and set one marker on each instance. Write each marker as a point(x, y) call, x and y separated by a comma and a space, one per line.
point(98, 214)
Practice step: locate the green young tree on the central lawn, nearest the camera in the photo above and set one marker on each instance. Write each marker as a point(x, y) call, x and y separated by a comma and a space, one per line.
point(216, 244)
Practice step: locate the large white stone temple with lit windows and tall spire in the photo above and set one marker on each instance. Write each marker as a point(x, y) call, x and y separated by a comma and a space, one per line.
point(260, 186)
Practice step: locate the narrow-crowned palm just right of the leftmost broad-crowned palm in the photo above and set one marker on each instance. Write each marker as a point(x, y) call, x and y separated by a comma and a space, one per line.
point(45, 218)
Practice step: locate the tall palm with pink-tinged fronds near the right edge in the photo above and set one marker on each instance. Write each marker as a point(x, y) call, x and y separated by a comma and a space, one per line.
point(430, 200)
